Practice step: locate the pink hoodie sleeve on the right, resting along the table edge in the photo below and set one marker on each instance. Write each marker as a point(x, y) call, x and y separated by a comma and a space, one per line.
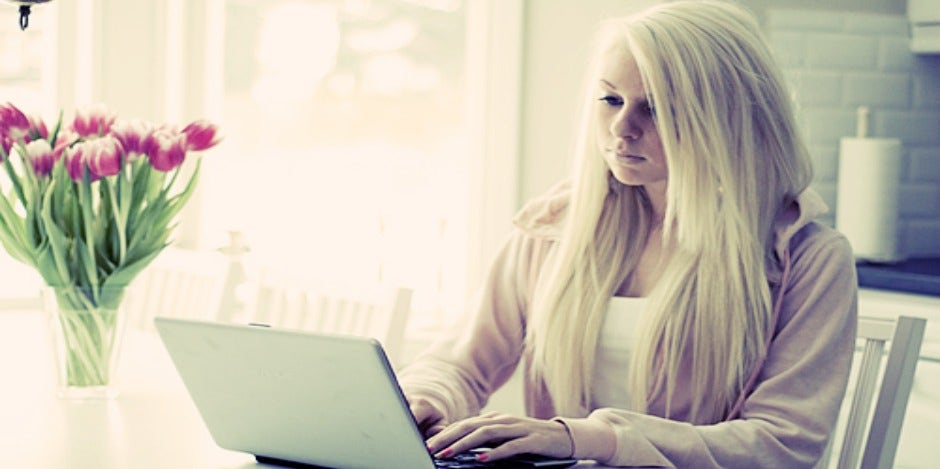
point(787, 419)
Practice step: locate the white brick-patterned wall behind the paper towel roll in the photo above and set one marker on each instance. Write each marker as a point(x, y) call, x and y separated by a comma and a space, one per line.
point(836, 61)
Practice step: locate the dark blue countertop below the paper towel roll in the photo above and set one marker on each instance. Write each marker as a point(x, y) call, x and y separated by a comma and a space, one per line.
point(921, 276)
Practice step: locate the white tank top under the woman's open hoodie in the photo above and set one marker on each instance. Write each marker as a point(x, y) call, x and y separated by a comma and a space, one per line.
point(614, 348)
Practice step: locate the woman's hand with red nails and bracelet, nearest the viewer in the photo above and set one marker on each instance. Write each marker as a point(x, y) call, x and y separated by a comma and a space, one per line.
point(507, 435)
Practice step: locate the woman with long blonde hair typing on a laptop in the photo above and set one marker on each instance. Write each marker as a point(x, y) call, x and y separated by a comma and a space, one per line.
point(675, 304)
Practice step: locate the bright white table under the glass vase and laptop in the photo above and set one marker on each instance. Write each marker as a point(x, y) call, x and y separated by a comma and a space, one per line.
point(152, 424)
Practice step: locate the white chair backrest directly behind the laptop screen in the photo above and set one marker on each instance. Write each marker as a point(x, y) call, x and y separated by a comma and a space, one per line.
point(381, 314)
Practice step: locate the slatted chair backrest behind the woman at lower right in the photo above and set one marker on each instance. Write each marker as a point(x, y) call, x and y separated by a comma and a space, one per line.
point(870, 438)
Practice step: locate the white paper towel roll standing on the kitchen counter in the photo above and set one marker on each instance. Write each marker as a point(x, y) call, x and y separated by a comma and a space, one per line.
point(867, 203)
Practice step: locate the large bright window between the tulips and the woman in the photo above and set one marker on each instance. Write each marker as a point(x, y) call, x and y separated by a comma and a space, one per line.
point(351, 151)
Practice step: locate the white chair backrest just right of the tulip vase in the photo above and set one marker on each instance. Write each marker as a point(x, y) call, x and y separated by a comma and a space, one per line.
point(179, 283)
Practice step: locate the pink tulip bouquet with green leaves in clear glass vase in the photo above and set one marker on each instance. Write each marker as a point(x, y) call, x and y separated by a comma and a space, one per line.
point(89, 204)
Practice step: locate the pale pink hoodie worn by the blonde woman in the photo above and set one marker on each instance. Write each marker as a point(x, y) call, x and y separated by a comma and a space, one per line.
point(783, 421)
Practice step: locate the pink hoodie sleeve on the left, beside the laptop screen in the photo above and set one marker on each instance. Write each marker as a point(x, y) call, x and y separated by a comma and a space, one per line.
point(458, 373)
